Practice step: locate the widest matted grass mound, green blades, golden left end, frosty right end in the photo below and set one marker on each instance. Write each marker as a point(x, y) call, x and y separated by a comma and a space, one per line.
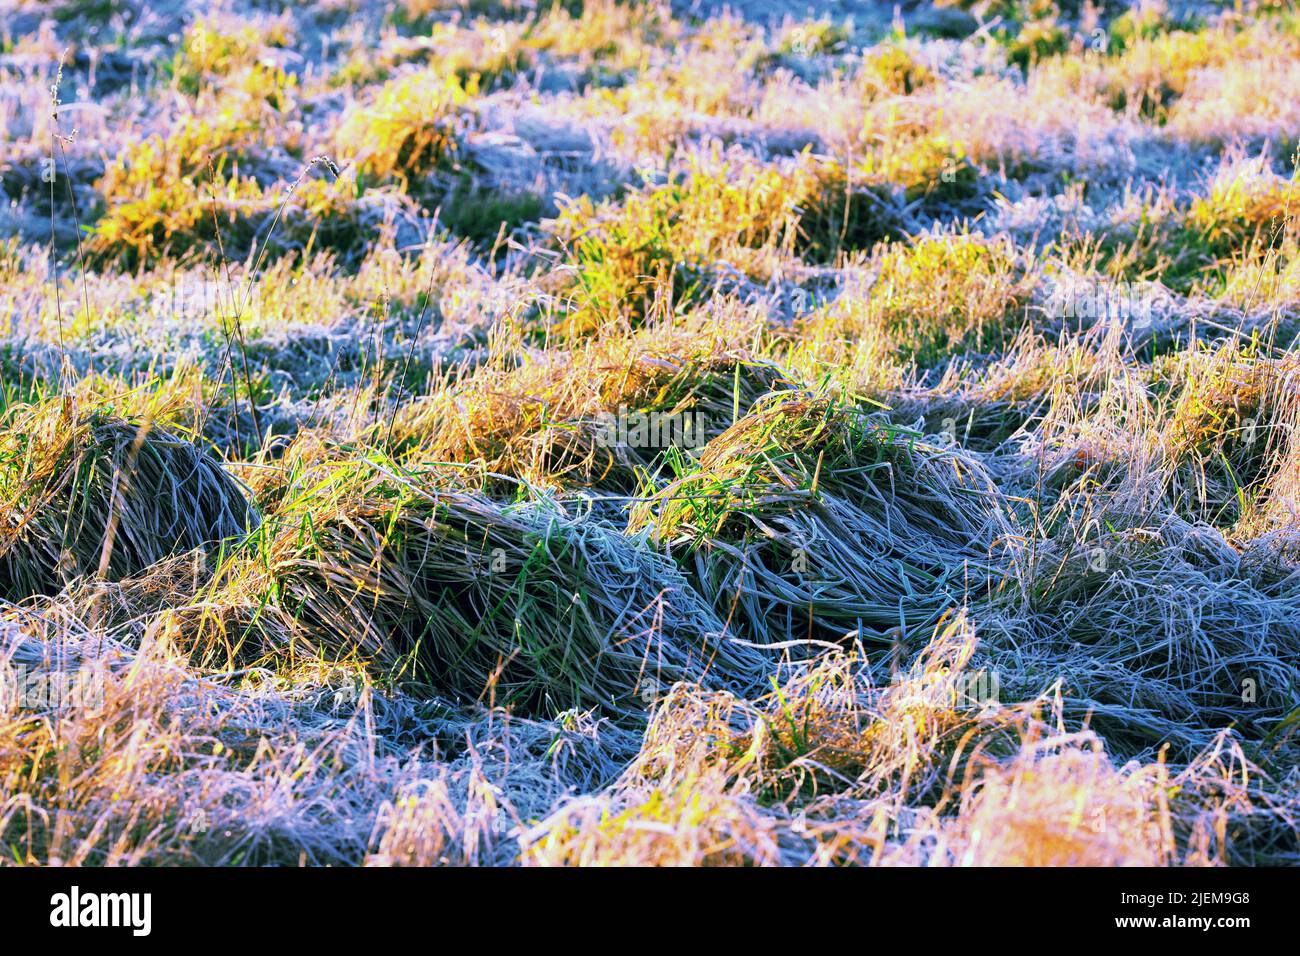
point(519, 605)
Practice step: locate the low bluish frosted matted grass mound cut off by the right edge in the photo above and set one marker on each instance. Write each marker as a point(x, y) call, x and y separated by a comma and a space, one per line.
point(1163, 635)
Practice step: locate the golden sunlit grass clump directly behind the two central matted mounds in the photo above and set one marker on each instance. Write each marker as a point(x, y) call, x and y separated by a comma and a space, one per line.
point(556, 423)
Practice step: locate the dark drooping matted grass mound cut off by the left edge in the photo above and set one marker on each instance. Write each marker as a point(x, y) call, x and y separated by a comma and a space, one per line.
point(99, 495)
